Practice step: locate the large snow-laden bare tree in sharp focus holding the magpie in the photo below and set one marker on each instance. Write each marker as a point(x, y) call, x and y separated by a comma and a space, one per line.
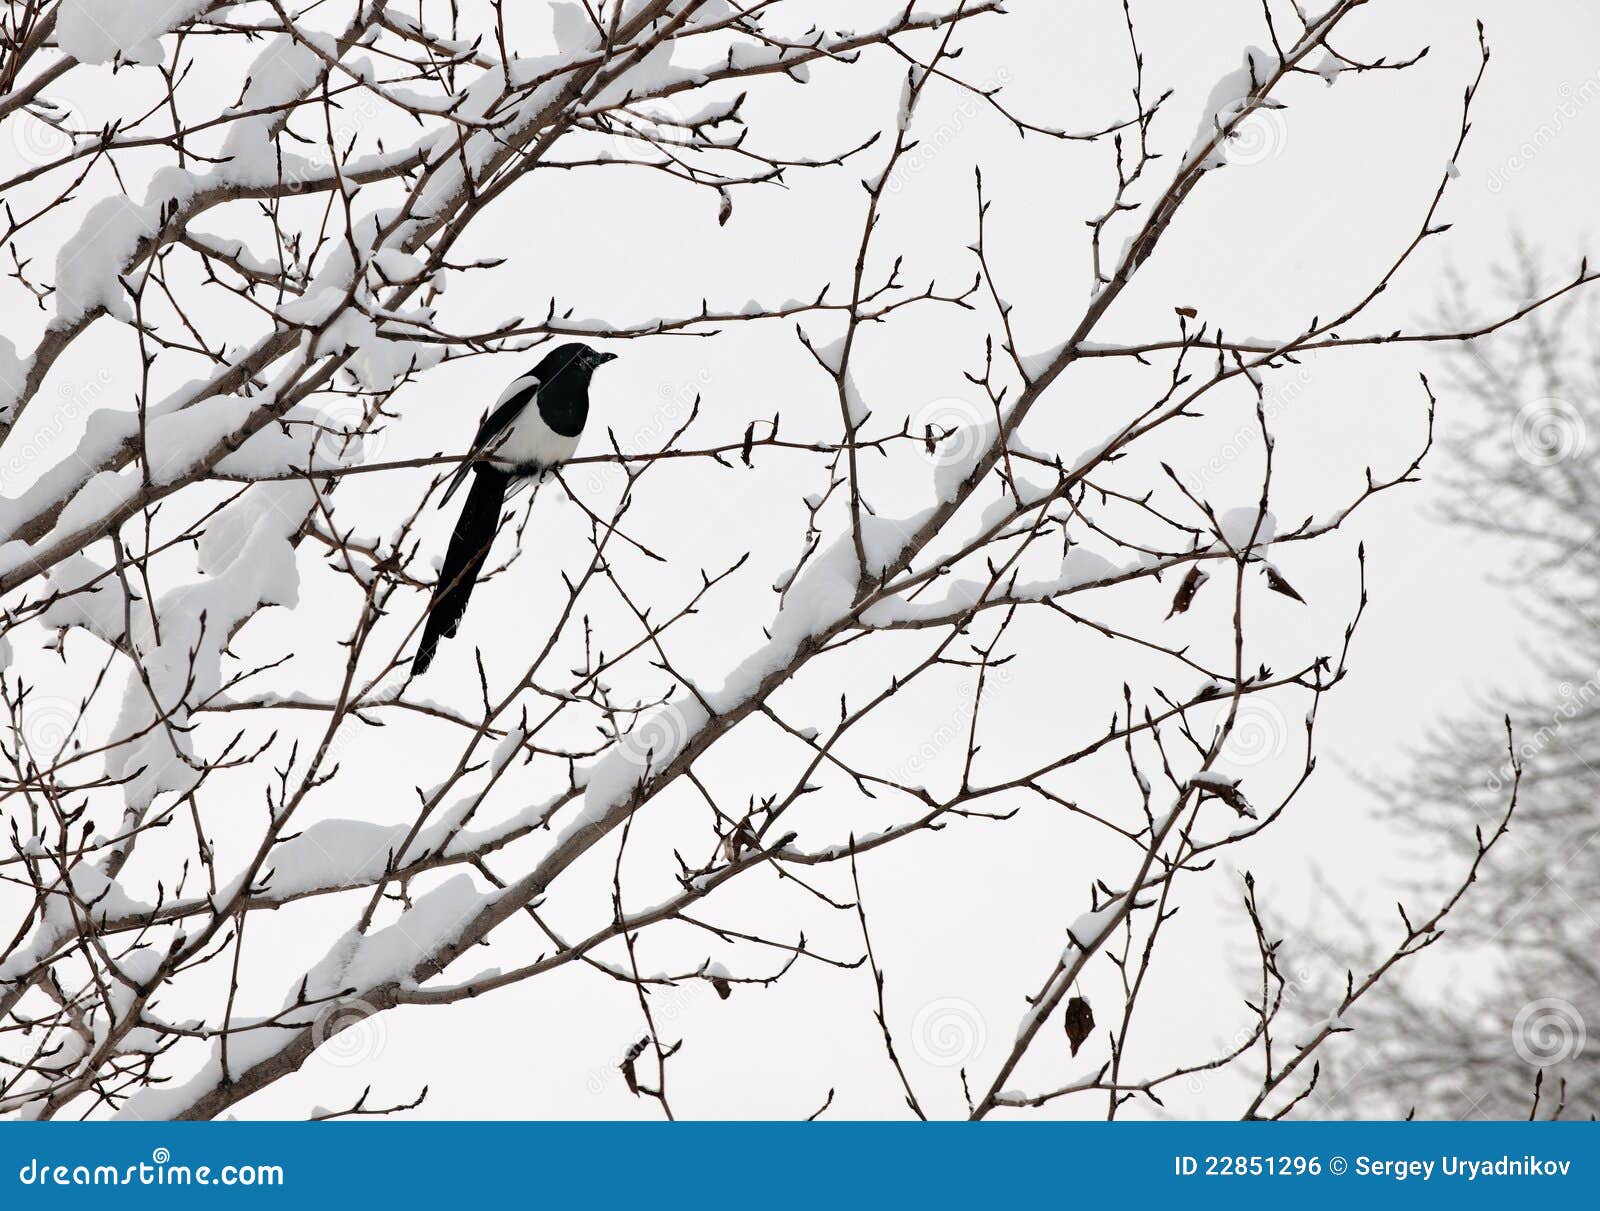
point(188, 793)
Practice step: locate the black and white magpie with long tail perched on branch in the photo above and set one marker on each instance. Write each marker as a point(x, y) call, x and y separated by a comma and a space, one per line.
point(532, 428)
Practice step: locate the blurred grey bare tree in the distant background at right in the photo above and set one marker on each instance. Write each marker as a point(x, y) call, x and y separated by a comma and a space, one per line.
point(1514, 1034)
